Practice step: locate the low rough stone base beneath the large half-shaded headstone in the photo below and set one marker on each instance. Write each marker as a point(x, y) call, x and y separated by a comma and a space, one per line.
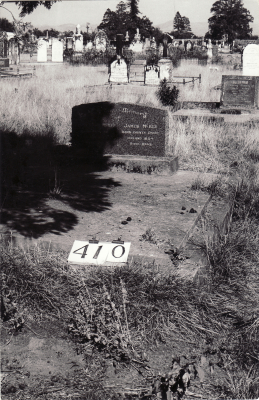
point(143, 165)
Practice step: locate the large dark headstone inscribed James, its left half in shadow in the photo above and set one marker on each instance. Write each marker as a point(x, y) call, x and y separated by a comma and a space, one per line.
point(119, 129)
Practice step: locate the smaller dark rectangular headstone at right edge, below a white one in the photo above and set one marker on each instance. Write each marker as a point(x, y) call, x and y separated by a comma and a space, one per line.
point(238, 91)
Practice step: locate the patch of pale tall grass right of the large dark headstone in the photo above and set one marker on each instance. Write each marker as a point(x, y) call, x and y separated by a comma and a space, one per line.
point(212, 147)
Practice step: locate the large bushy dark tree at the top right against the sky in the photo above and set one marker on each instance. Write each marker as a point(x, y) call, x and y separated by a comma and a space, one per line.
point(231, 18)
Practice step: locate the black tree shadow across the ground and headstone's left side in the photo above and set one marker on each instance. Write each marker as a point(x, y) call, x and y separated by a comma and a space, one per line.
point(35, 170)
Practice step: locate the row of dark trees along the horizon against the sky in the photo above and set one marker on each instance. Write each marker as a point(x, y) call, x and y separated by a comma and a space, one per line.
point(229, 19)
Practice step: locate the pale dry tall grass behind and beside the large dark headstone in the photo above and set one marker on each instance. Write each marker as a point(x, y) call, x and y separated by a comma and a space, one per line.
point(43, 104)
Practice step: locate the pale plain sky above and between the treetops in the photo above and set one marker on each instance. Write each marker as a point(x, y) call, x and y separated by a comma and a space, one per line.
point(91, 11)
